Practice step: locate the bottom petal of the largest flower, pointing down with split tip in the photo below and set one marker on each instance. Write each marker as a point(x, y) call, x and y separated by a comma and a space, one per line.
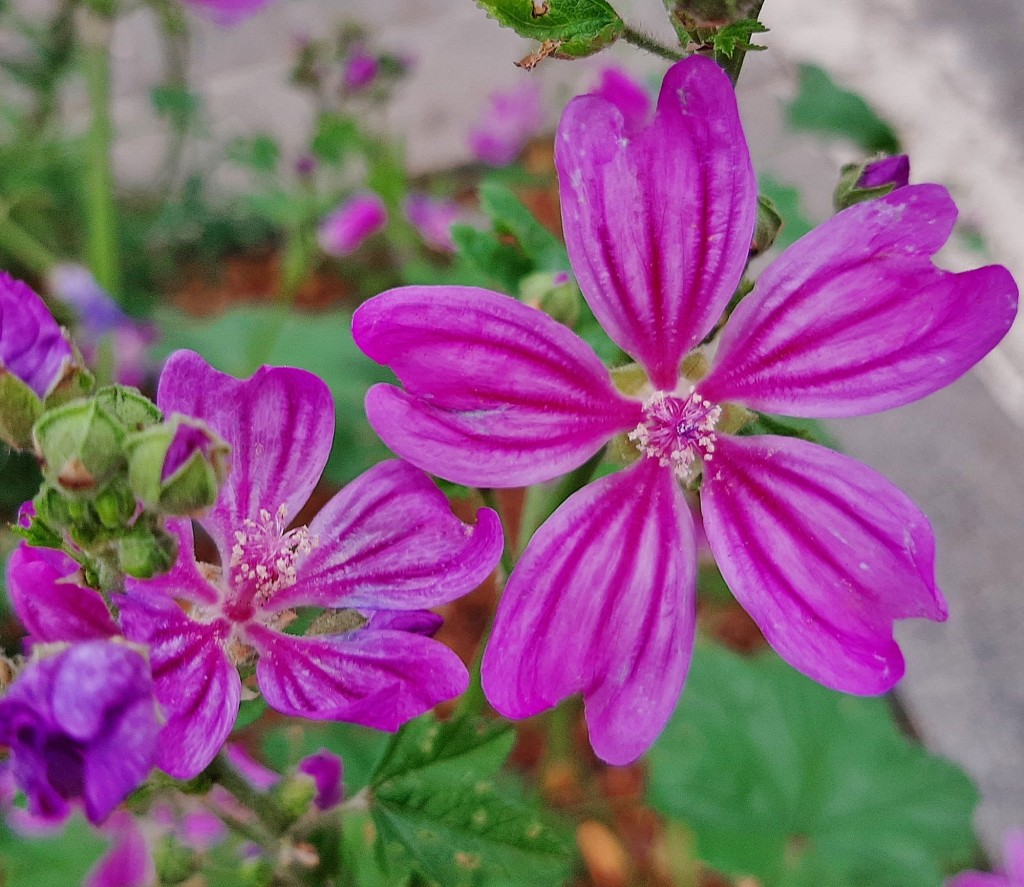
point(603, 603)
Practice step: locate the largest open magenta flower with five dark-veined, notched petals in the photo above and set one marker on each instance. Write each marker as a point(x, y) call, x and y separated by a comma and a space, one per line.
point(823, 553)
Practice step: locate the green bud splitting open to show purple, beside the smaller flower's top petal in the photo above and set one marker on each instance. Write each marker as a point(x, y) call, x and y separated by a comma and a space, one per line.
point(178, 468)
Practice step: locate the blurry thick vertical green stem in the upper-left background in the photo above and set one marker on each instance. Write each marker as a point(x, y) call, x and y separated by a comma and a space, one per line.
point(102, 244)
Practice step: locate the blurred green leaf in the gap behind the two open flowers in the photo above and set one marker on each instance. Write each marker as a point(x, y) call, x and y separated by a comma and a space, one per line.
point(321, 344)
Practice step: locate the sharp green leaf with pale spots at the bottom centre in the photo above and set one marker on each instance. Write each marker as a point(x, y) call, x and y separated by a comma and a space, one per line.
point(438, 800)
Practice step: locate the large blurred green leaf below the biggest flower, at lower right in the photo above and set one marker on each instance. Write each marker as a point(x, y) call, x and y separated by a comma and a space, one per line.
point(795, 785)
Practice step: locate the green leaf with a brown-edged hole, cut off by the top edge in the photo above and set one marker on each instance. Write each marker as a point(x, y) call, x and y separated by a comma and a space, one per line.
point(579, 27)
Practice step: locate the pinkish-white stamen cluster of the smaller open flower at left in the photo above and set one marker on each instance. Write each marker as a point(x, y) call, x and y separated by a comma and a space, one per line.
point(265, 558)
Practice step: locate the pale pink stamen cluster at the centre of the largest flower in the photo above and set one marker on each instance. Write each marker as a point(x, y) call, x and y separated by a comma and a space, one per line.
point(677, 431)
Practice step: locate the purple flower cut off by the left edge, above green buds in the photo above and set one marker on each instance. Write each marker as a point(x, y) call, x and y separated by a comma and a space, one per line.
point(33, 348)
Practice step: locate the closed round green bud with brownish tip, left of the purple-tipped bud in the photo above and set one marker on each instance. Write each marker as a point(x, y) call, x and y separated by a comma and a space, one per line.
point(80, 447)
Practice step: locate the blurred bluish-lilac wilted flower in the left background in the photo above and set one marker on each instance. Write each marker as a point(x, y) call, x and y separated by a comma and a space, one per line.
point(102, 320)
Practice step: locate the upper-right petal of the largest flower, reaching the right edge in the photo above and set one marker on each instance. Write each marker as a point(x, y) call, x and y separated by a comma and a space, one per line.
point(855, 318)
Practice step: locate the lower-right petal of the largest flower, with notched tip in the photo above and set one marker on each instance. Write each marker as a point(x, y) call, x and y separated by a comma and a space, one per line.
point(824, 554)
